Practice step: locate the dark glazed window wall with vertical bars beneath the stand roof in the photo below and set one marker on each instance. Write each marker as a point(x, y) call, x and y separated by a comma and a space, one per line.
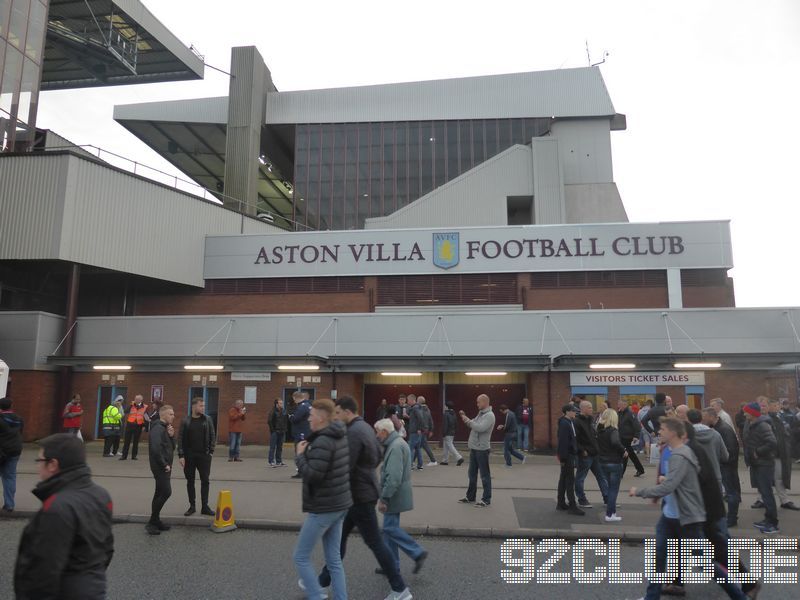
point(348, 172)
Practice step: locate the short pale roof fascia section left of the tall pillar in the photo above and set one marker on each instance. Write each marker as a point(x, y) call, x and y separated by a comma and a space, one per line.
point(202, 110)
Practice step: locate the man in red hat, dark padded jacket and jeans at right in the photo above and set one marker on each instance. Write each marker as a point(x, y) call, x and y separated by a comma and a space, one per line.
point(759, 455)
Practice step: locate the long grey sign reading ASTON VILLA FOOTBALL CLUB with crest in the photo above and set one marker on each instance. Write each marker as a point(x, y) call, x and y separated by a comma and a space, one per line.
point(701, 244)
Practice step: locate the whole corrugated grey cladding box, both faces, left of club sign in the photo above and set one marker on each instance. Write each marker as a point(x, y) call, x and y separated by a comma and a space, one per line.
point(64, 207)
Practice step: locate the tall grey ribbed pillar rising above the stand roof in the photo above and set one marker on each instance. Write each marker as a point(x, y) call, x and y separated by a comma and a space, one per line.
point(247, 103)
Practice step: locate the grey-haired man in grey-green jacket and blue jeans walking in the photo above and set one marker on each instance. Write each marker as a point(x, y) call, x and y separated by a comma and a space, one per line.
point(396, 495)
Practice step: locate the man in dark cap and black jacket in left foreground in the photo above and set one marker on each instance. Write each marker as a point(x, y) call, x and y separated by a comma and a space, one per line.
point(67, 546)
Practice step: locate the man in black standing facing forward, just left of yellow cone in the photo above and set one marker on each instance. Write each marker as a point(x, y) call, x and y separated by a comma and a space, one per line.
point(196, 444)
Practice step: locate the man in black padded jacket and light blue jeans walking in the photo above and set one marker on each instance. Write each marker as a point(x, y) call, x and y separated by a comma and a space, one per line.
point(324, 465)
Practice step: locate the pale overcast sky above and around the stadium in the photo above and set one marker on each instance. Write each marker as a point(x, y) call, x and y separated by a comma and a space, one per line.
point(711, 90)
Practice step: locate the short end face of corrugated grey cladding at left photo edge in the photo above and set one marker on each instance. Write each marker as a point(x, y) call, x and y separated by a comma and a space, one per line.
point(31, 203)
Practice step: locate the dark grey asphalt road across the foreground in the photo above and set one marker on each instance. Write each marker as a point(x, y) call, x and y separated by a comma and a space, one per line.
point(193, 563)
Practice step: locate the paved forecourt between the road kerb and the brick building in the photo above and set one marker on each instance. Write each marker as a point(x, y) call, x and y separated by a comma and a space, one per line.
point(523, 498)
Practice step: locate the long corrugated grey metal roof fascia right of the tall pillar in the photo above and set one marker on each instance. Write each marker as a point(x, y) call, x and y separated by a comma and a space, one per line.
point(560, 93)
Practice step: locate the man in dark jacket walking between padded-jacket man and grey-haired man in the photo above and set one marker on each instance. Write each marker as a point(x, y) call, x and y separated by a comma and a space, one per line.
point(365, 456)
